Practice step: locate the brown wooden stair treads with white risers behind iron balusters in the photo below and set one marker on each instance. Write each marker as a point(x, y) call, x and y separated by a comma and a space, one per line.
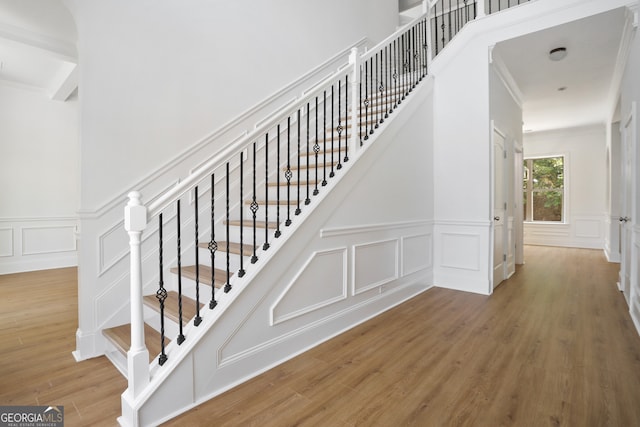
point(314, 169)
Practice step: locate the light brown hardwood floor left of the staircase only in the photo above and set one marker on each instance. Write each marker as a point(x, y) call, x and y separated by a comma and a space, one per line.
point(38, 322)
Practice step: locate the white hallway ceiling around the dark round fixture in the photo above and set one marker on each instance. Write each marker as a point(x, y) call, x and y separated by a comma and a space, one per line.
point(587, 71)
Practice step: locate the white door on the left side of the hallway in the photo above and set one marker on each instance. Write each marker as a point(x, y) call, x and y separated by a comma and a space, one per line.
point(499, 208)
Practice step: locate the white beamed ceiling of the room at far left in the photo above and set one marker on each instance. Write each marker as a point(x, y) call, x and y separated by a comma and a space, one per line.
point(37, 47)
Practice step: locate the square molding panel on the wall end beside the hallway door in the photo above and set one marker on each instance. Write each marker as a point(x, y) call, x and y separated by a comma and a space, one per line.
point(461, 251)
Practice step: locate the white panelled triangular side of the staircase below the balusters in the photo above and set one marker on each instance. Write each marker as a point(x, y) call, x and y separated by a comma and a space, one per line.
point(378, 243)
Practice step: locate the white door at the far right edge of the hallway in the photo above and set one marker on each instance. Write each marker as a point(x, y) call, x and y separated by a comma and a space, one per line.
point(626, 208)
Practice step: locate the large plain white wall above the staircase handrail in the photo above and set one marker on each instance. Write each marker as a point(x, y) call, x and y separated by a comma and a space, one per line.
point(157, 76)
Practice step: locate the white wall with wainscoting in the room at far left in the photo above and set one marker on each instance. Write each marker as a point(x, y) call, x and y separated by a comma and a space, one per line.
point(39, 171)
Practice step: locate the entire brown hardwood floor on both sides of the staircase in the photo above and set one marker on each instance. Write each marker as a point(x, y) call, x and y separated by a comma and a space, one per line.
point(553, 346)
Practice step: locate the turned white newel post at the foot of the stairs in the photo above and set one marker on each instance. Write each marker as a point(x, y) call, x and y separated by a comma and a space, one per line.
point(135, 221)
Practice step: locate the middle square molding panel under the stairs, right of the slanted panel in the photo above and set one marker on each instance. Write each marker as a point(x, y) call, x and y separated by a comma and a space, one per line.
point(374, 264)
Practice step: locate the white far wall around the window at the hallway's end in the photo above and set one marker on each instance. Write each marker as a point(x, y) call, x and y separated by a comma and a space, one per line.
point(584, 149)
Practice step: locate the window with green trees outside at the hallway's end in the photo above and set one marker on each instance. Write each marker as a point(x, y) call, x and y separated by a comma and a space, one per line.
point(543, 189)
